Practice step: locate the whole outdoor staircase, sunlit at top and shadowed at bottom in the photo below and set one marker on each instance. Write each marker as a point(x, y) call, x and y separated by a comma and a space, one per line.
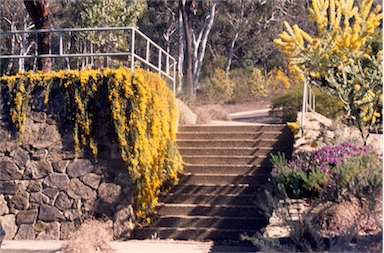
point(220, 194)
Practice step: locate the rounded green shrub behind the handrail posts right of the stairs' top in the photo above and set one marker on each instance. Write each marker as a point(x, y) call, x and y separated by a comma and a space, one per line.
point(290, 102)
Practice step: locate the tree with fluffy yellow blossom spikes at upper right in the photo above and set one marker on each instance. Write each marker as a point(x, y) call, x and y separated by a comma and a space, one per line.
point(338, 59)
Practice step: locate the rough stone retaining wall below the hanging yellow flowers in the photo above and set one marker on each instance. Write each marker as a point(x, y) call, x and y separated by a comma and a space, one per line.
point(45, 190)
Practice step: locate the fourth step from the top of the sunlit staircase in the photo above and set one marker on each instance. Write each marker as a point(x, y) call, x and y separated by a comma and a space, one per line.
point(230, 151)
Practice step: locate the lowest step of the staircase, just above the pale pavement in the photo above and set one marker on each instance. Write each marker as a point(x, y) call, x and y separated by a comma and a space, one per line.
point(197, 234)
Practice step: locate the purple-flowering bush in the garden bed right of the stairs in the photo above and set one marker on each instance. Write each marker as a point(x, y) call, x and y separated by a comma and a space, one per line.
point(327, 172)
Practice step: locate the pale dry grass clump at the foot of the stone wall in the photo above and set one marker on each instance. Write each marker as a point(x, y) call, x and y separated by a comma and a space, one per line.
point(92, 236)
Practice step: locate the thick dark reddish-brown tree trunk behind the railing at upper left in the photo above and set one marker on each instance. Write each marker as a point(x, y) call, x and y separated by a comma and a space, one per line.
point(37, 10)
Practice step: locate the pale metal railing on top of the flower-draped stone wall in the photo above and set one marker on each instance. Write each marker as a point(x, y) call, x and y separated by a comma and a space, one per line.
point(169, 70)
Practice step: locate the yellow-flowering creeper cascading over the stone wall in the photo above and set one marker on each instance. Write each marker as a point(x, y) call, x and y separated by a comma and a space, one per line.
point(141, 107)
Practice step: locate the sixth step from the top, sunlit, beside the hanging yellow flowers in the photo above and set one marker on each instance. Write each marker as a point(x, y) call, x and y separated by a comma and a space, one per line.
point(221, 169)
